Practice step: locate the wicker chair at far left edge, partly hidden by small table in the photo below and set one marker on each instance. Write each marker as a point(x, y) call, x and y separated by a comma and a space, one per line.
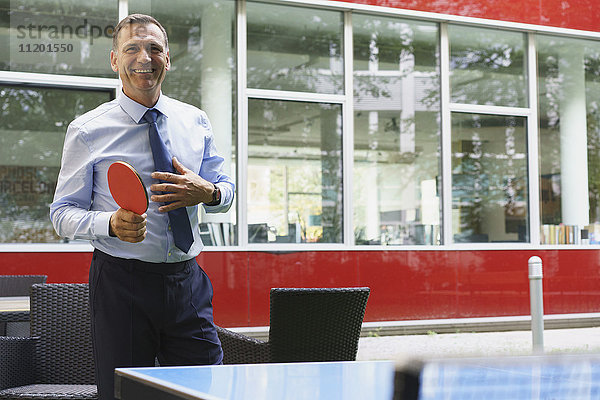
point(16, 323)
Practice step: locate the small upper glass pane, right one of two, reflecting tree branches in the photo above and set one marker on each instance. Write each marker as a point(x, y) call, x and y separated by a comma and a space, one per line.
point(487, 66)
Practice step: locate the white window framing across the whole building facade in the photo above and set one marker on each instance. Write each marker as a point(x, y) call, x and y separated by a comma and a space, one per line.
point(244, 93)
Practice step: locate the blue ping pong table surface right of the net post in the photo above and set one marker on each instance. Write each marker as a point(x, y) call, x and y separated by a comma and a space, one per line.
point(560, 377)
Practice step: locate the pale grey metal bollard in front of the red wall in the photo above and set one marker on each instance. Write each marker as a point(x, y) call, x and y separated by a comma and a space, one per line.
point(537, 303)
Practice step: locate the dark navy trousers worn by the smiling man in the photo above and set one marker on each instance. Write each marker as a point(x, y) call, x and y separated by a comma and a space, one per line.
point(142, 311)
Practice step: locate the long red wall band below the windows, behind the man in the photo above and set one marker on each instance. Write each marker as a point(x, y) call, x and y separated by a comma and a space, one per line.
point(405, 285)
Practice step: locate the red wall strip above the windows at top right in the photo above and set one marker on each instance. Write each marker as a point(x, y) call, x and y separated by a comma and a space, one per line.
point(573, 14)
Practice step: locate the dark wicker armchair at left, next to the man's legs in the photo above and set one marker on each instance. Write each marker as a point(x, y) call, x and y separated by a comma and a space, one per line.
point(57, 361)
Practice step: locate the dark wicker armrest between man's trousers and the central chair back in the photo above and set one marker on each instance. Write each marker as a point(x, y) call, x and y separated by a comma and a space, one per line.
point(241, 349)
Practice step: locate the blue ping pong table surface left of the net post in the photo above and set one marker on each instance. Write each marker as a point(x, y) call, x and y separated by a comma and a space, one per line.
point(327, 380)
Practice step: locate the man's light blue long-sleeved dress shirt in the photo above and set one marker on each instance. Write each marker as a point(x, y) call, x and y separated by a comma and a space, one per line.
point(83, 205)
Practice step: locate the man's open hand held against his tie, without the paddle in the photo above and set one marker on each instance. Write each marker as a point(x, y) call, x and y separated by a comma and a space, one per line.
point(180, 190)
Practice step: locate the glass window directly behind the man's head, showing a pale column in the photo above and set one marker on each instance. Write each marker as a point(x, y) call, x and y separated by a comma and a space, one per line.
point(202, 48)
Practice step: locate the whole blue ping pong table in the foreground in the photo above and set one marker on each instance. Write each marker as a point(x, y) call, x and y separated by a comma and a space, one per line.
point(556, 377)
